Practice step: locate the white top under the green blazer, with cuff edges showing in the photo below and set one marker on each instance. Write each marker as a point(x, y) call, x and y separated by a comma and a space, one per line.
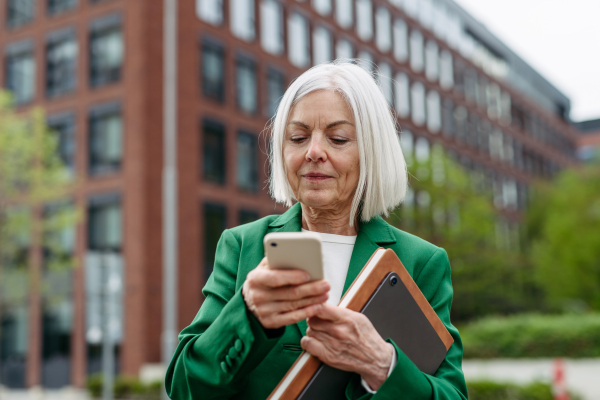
point(337, 251)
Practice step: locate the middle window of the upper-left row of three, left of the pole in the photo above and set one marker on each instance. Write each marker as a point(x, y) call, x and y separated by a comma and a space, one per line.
point(61, 62)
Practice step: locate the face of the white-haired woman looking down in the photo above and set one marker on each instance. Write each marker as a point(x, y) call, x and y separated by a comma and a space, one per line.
point(320, 151)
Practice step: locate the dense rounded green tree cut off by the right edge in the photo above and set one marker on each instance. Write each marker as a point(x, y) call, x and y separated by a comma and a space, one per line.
point(563, 226)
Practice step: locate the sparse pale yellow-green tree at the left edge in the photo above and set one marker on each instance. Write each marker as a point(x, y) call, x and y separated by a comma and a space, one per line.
point(33, 185)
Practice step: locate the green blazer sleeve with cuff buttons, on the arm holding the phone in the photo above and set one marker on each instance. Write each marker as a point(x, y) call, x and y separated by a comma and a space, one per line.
point(224, 342)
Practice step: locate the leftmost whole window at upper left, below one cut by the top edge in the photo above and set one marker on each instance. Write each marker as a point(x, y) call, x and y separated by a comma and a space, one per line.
point(20, 71)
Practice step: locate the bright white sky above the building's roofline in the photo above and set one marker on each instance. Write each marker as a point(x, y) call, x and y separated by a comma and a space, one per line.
point(558, 38)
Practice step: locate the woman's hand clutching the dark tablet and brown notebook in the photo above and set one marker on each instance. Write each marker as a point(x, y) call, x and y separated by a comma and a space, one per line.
point(347, 340)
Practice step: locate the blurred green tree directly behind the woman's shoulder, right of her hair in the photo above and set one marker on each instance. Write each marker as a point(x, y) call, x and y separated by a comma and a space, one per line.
point(453, 209)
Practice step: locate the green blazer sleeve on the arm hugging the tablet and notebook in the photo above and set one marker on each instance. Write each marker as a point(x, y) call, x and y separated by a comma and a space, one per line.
point(406, 380)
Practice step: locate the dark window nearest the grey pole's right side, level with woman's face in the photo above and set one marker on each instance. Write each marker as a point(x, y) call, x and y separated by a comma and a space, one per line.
point(214, 151)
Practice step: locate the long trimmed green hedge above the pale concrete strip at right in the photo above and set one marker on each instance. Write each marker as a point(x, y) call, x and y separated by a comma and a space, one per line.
point(533, 335)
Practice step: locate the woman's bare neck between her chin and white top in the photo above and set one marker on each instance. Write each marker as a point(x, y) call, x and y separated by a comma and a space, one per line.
point(328, 221)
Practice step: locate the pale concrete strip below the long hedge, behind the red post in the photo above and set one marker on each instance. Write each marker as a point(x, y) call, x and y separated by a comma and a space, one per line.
point(582, 376)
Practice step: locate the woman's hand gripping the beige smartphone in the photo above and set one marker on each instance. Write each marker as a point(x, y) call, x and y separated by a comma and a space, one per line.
point(280, 297)
